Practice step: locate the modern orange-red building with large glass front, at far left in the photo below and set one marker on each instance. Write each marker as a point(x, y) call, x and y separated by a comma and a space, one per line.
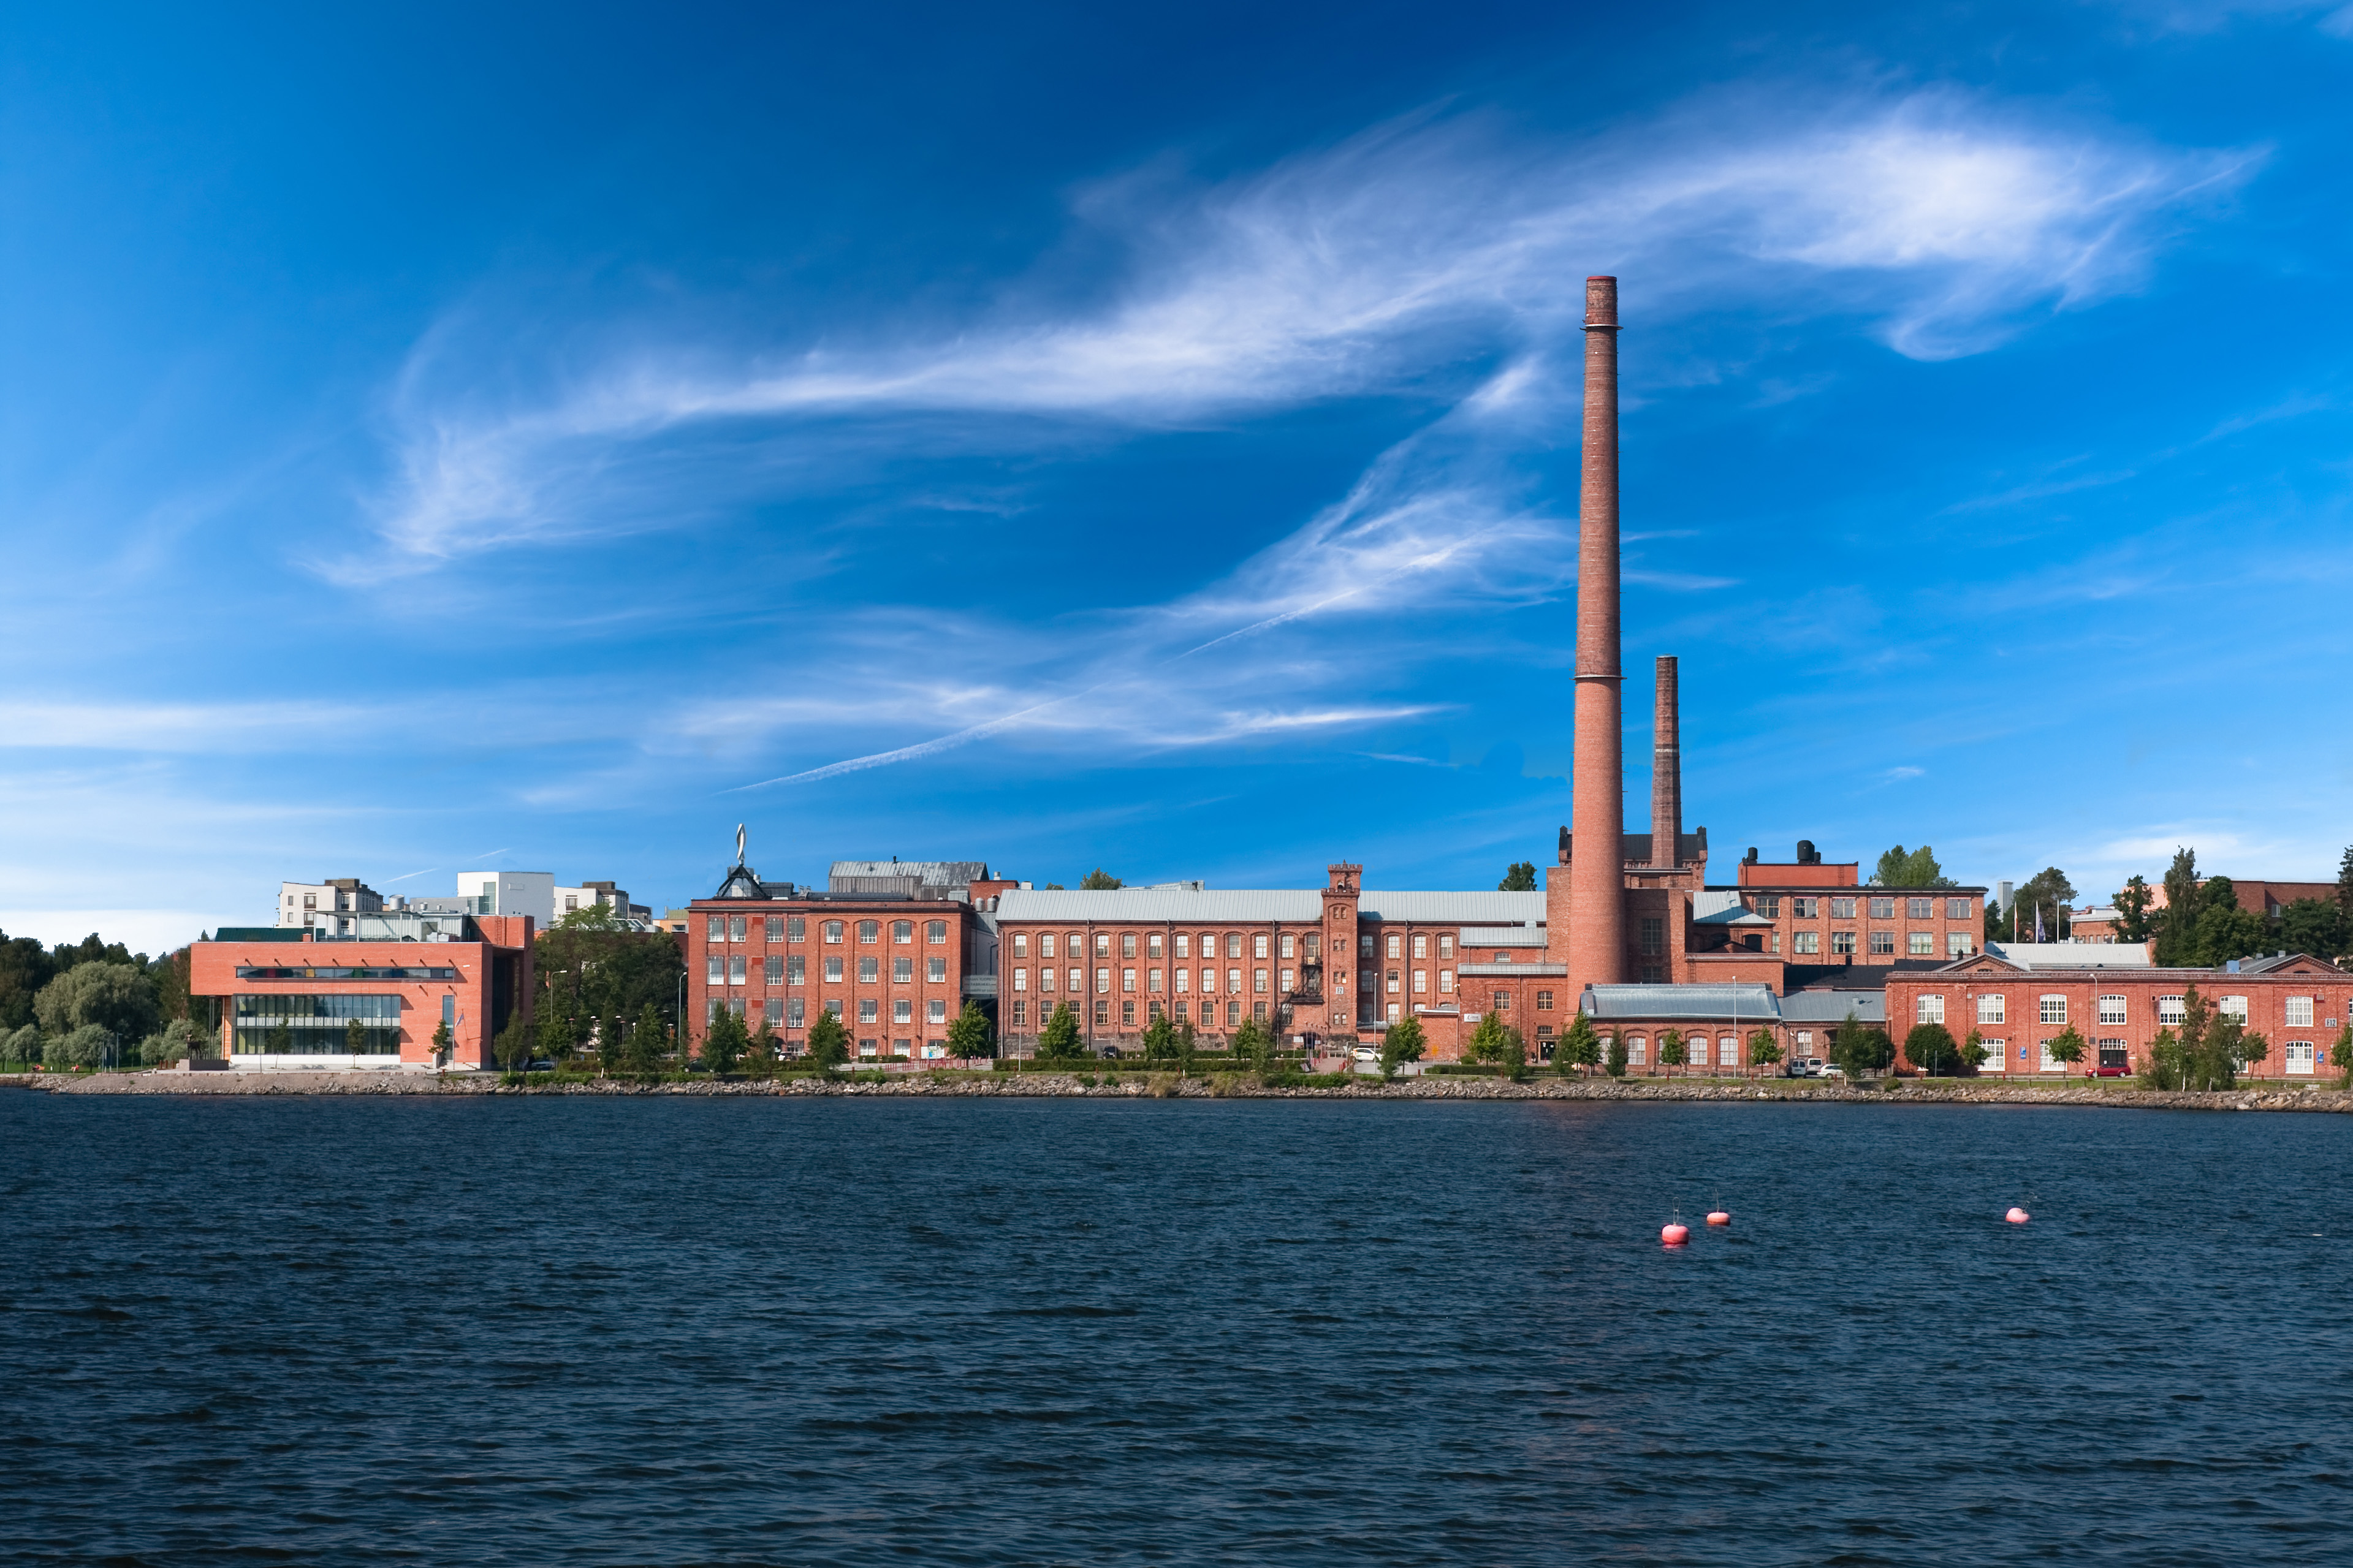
point(291, 996)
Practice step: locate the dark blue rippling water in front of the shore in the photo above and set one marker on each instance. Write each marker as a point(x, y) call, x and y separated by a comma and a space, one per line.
point(787, 1332)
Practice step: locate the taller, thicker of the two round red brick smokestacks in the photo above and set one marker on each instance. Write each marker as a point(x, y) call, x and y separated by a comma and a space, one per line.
point(1599, 810)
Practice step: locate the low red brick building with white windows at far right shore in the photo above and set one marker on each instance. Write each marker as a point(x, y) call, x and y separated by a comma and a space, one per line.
point(2298, 1003)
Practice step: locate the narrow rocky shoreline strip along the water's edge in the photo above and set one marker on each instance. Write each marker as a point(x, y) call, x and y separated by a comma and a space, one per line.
point(1225, 1087)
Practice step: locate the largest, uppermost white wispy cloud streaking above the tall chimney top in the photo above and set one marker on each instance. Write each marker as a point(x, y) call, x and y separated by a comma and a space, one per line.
point(1366, 269)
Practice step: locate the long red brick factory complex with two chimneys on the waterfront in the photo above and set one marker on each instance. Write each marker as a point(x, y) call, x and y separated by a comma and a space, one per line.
point(1627, 925)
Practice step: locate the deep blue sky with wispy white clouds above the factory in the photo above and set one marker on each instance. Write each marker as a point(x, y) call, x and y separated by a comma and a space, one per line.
point(1149, 441)
